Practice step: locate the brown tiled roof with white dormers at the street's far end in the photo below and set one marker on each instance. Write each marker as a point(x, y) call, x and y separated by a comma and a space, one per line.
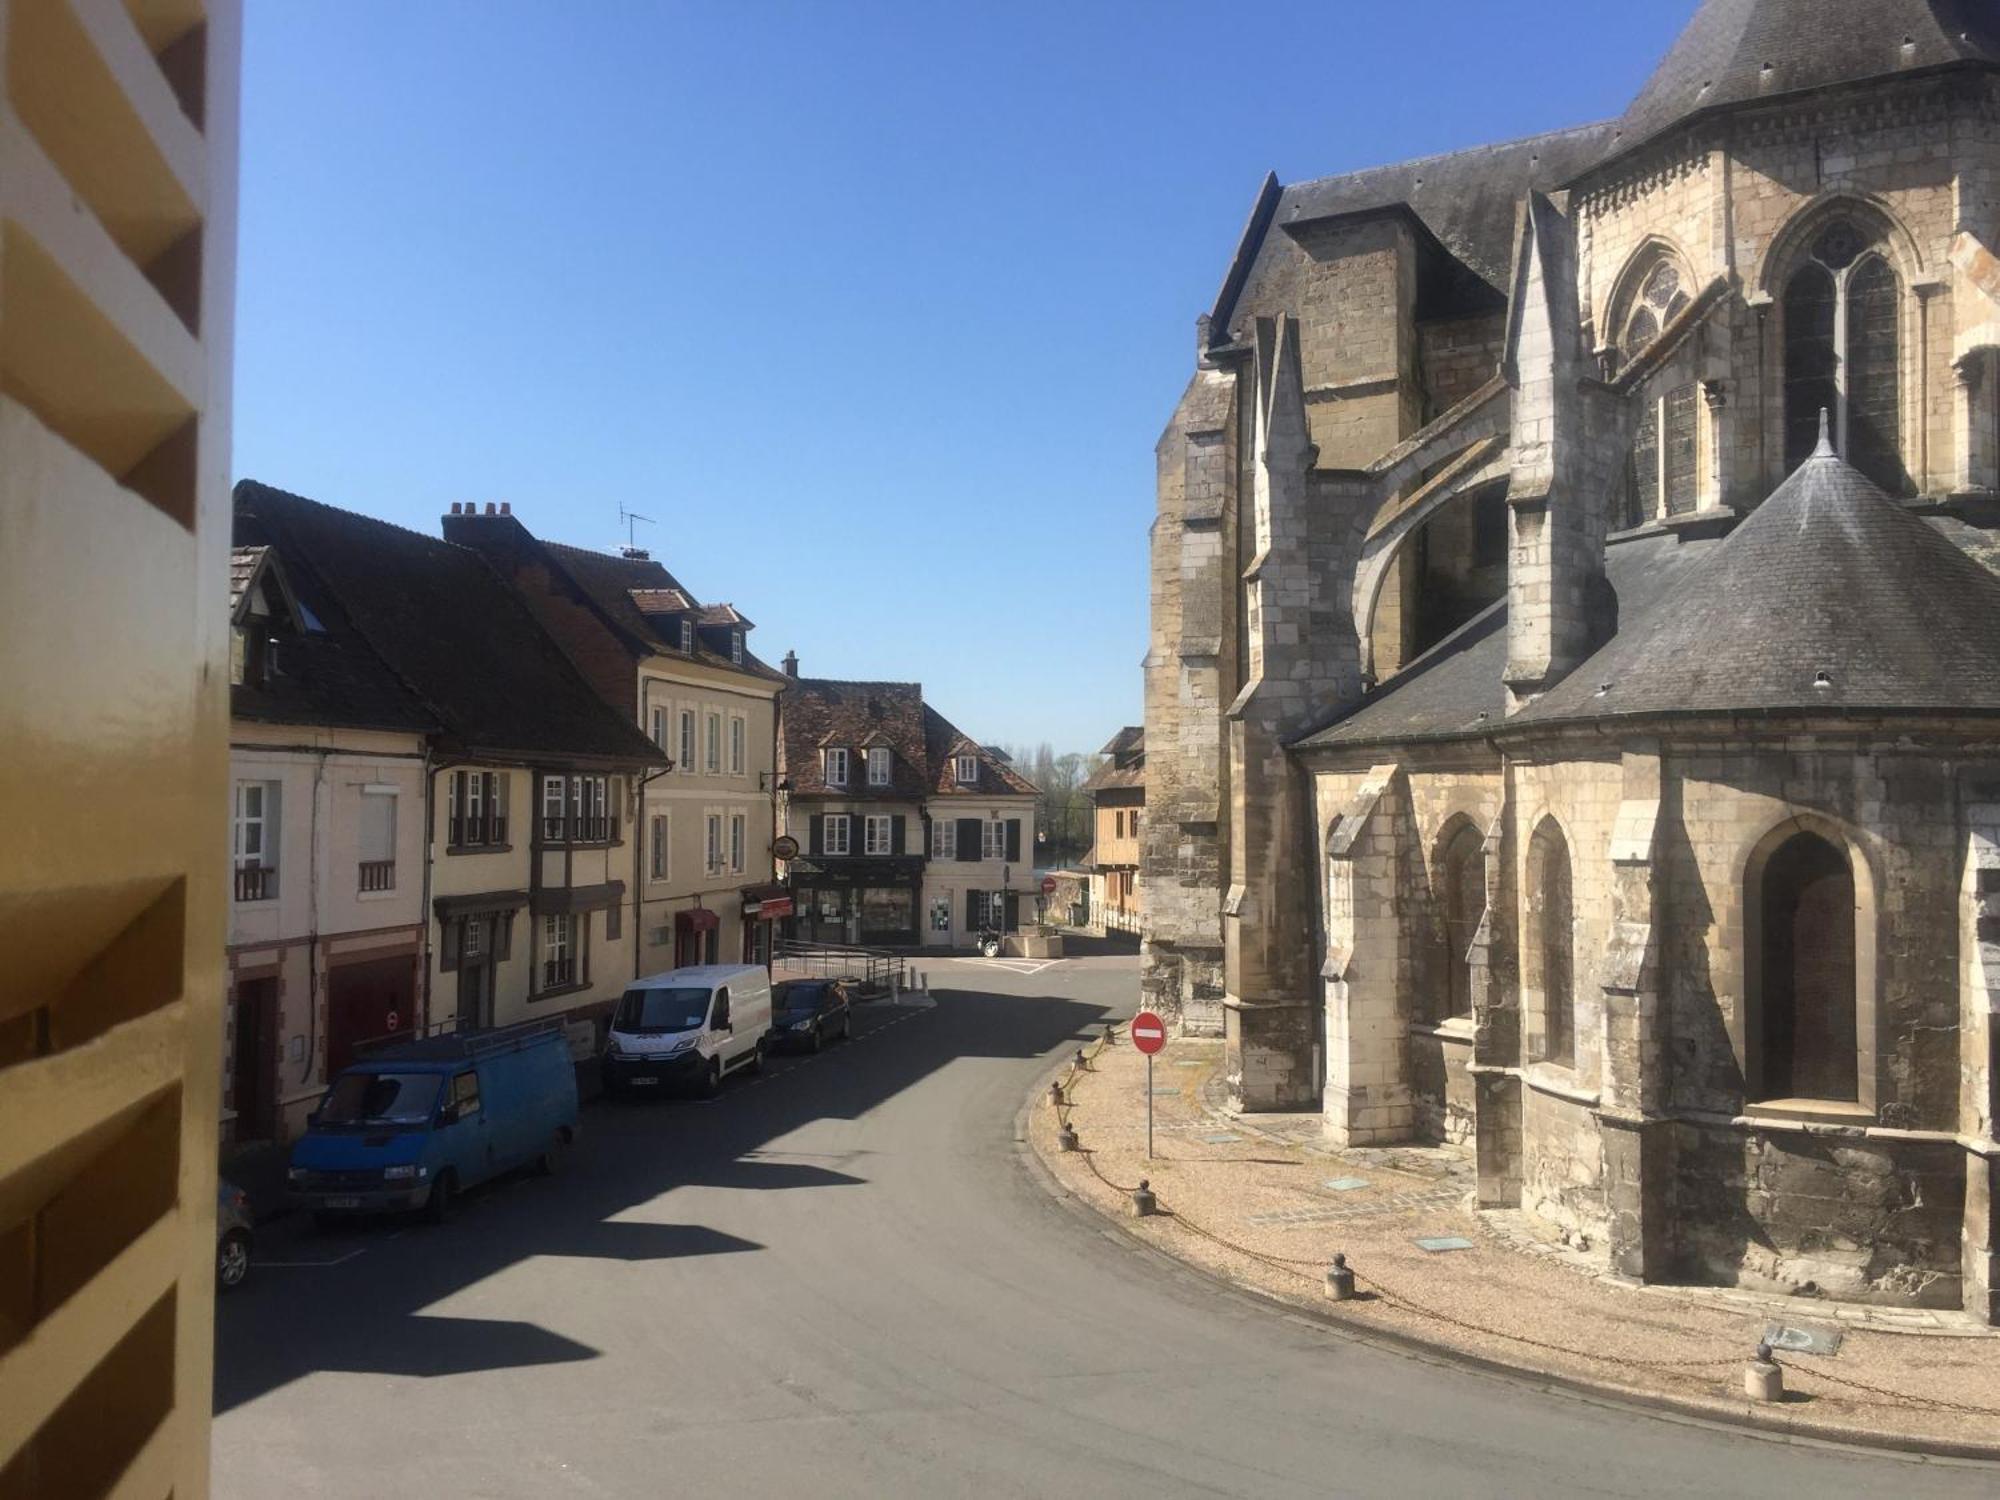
point(819, 713)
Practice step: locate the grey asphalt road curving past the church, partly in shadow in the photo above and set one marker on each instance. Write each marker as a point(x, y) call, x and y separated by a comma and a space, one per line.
point(839, 1281)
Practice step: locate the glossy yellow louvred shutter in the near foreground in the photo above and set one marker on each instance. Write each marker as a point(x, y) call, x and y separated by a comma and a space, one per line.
point(117, 293)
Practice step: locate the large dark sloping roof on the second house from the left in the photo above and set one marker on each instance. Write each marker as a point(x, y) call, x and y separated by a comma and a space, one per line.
point(453, 643)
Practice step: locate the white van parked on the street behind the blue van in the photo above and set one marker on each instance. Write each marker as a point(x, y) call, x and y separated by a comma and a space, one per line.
point(689, 1029)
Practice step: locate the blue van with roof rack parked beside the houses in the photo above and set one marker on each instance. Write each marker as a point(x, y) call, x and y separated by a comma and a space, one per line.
point(417, 1123)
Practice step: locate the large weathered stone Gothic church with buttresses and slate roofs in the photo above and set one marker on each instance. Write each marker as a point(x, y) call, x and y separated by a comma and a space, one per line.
point(1573, 709)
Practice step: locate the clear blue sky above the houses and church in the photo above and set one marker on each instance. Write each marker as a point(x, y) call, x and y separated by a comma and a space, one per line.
point(875, 309)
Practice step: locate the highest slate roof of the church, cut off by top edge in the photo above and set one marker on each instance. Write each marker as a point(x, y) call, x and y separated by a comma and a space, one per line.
point(1745, 51)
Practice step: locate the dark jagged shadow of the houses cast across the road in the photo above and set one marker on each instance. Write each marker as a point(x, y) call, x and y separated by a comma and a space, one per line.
point(367, 1313)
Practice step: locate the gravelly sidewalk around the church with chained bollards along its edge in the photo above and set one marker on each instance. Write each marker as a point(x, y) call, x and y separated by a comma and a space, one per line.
point(1265, 1203)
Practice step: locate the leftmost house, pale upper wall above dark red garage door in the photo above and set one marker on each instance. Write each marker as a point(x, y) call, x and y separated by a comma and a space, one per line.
point(327, 849)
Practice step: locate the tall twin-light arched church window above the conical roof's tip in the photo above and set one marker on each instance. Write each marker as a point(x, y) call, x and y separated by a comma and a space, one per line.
point(1841, 355)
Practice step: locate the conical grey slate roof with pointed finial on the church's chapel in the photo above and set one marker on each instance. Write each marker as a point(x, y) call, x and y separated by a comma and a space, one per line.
point(1827, 597)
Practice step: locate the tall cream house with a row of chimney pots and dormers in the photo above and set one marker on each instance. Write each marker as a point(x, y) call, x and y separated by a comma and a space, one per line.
point(703, 885)
